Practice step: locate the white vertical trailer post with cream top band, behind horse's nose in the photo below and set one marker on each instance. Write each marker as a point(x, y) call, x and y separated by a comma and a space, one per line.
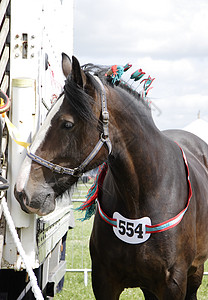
point(23, 94)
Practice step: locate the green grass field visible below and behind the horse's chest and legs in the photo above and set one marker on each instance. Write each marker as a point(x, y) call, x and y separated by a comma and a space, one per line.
point(77, 256)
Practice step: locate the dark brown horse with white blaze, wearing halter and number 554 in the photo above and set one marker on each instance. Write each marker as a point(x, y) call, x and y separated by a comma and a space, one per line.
point(151, 219)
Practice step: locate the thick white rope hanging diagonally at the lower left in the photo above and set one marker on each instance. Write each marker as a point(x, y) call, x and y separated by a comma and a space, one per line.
point(35, 288)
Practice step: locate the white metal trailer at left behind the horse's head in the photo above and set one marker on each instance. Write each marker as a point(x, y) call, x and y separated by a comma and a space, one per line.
point(32, 36)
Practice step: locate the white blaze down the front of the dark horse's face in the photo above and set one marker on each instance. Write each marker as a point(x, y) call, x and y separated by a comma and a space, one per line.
point(26, 166)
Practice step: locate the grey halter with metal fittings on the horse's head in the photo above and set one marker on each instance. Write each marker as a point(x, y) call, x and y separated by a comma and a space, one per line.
point(104, 139)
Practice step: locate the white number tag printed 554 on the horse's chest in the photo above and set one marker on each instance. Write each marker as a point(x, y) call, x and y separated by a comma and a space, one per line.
point(131, 231)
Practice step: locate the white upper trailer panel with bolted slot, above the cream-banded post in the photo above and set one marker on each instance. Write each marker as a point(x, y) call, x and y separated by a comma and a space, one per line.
point(25, 19)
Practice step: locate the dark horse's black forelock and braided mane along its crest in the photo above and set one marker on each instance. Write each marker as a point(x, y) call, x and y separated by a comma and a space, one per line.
point(81, 102)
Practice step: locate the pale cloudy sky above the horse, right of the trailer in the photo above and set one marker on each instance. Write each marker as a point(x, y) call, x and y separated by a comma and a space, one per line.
point(168, 39)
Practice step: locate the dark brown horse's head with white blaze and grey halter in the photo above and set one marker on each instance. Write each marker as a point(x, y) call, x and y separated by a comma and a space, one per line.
point(67, 138)
